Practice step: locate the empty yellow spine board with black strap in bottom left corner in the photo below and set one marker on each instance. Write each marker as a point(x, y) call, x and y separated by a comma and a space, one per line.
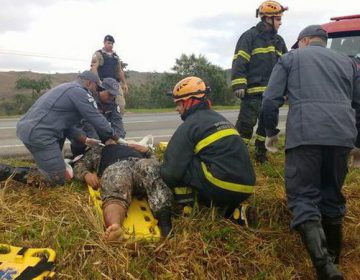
point(12, 264)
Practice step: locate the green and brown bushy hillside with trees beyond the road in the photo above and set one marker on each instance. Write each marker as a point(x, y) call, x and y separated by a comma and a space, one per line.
point(146, 90)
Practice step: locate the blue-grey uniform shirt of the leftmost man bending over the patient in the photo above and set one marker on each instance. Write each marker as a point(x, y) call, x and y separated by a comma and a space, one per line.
point(56, 111)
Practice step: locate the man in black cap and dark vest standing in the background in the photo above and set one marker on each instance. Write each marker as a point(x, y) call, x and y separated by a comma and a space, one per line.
point(107, 64)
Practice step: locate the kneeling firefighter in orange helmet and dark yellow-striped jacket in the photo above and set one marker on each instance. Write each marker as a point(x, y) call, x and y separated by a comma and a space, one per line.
point(207, 153)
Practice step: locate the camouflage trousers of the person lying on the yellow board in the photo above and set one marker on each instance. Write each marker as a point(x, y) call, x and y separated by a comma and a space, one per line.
point(135, 176)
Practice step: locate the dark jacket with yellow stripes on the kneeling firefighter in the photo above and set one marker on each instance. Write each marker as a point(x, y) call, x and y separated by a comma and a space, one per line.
point(212, 139)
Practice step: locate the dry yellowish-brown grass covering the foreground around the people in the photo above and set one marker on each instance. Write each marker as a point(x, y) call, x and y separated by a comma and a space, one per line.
point(204, 246)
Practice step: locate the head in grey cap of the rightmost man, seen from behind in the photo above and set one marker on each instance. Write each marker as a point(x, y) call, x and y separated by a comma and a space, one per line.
point(311, 33)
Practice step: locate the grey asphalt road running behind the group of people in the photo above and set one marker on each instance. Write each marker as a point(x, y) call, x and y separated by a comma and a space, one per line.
point(160, 125)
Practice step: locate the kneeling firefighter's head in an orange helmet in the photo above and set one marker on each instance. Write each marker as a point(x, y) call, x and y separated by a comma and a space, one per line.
point(188, 92)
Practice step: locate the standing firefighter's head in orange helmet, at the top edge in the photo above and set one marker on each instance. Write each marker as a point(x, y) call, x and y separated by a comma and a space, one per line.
point(271, 12)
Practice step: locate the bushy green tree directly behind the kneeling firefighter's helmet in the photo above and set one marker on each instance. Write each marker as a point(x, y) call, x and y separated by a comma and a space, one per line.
point(212, 75)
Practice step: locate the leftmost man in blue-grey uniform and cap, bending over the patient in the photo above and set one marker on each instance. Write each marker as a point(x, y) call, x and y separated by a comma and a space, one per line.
point(43, 128)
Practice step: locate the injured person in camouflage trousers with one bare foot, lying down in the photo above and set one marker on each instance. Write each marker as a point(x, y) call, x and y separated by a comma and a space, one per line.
point(125, 170)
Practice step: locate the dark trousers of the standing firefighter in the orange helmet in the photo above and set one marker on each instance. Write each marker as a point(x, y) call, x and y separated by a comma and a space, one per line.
point(249, 114)
